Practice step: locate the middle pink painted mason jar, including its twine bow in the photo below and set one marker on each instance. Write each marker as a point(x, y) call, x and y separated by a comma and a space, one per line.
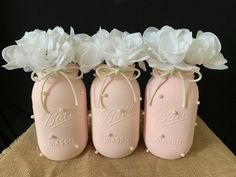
point(115, 105)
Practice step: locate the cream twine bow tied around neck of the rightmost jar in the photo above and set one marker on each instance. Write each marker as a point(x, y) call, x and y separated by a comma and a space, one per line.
point(175, 72)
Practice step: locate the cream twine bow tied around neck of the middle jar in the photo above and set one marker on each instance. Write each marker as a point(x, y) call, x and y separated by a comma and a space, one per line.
point(105, 71)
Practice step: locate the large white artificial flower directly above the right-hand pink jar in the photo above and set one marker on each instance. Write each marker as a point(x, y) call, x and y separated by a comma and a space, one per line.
point(167, 48)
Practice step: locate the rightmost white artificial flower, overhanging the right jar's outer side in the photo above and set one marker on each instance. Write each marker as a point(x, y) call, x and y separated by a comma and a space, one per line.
point(206, 50)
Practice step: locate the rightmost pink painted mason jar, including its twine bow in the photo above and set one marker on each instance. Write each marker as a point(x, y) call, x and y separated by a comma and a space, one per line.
point(171, 104)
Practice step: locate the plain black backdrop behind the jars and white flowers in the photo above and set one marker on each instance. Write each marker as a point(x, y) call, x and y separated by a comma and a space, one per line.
point(217, 88)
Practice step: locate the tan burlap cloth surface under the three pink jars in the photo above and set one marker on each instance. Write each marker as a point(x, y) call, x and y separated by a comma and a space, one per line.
point(208, 157)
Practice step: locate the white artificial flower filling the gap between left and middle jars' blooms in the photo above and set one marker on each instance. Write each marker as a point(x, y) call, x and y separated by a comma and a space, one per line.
point(89, 49)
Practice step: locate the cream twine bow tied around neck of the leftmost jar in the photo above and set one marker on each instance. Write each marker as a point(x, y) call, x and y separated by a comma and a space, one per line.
point(51, 73)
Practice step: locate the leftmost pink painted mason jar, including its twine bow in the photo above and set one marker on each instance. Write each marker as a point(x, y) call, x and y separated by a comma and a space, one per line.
point(60, 113)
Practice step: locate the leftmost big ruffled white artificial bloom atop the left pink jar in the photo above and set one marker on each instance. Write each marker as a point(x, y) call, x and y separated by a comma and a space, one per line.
point(39, 50)
